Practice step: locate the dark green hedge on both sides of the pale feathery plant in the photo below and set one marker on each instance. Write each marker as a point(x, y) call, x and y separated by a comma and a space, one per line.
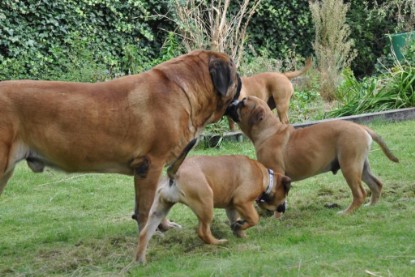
point(285, 28)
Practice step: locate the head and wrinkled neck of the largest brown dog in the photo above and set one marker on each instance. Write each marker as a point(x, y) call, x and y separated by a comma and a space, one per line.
point(208, 80)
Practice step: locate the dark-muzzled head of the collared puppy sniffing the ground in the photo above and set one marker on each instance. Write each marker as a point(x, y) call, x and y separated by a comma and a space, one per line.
point(275, 201)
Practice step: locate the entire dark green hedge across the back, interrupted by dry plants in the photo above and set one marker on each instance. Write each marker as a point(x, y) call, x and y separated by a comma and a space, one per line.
point(48, 39)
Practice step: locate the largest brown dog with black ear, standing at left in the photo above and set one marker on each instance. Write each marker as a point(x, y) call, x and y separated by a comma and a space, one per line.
point(131, 125)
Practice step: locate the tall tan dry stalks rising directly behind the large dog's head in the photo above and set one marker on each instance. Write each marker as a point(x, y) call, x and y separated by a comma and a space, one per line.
point(204, 25)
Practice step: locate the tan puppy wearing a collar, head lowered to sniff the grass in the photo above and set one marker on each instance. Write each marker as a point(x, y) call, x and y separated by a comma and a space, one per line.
point(205, 182)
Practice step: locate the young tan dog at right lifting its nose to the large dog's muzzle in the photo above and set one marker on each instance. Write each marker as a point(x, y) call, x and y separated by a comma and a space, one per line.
point(305, 152)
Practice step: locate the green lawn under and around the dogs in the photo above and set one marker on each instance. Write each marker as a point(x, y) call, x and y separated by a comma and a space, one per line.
point(58, 224)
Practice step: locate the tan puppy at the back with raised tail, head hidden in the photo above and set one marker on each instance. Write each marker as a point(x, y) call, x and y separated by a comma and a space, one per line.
point(275, 88)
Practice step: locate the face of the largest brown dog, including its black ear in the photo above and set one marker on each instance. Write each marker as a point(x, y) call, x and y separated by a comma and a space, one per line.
point(225, 80)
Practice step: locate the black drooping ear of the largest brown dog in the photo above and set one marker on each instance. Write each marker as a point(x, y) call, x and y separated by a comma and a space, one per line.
point(221, 75)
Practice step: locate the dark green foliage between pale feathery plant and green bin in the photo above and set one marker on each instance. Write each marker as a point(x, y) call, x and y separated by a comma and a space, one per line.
point(370, 22)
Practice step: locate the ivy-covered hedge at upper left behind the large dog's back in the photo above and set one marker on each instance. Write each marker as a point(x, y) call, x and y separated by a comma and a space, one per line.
point(37, 36)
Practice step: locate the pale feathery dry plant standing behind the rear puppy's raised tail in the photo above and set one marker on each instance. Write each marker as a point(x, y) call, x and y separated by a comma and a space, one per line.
point(333, 50)
